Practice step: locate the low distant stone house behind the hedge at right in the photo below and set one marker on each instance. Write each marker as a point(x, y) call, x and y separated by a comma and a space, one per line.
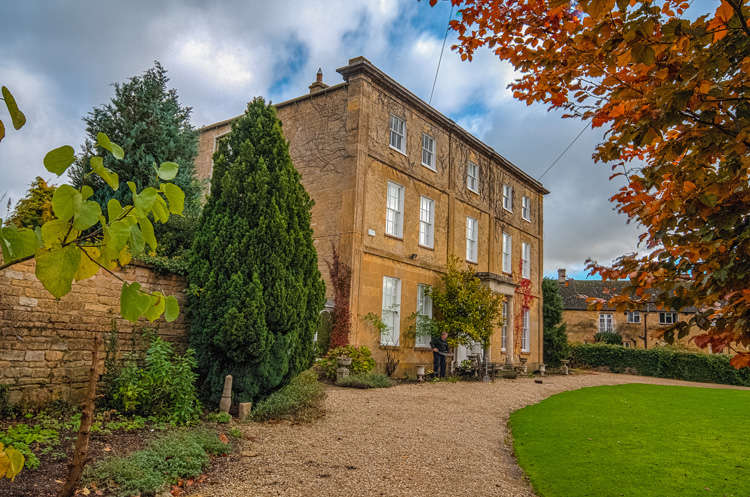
point(636, 327)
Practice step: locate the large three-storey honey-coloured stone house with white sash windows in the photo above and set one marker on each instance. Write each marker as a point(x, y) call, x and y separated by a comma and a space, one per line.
point(398, 188)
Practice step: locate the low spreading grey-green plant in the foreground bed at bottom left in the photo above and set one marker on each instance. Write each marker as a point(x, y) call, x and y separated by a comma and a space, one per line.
point(175, 455)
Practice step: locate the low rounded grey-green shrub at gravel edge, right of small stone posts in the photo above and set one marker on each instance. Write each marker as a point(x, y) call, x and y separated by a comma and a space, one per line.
point(300, 400)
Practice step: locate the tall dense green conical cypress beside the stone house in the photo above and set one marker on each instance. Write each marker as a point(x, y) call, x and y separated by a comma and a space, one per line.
point(255, 288)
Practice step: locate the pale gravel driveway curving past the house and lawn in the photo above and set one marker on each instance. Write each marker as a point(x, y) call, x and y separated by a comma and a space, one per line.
point(436, 439)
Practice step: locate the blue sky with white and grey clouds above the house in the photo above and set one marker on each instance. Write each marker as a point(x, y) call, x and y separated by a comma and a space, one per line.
point(61, 57)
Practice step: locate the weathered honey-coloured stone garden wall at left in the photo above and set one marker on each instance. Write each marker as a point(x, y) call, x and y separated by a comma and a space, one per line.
point(45, 343)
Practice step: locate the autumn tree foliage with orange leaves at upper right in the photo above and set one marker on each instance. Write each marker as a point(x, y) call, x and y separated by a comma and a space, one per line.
point(672, 89)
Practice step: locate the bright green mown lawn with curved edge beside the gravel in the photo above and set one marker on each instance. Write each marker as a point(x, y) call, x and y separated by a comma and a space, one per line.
point(636, 440)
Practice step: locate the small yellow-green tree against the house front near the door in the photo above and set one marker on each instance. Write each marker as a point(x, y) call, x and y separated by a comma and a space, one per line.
point(466, 309)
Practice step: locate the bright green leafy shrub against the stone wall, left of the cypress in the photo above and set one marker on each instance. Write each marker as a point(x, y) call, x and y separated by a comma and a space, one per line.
point(164, 387)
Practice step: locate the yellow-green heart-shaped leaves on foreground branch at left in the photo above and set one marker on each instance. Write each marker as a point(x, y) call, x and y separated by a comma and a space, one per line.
point(83, 237)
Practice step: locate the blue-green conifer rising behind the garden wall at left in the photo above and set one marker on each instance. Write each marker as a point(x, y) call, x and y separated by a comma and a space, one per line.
point(146, 120)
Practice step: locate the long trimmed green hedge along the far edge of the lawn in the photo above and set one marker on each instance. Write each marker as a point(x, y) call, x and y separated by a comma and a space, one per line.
point(660, 362)
